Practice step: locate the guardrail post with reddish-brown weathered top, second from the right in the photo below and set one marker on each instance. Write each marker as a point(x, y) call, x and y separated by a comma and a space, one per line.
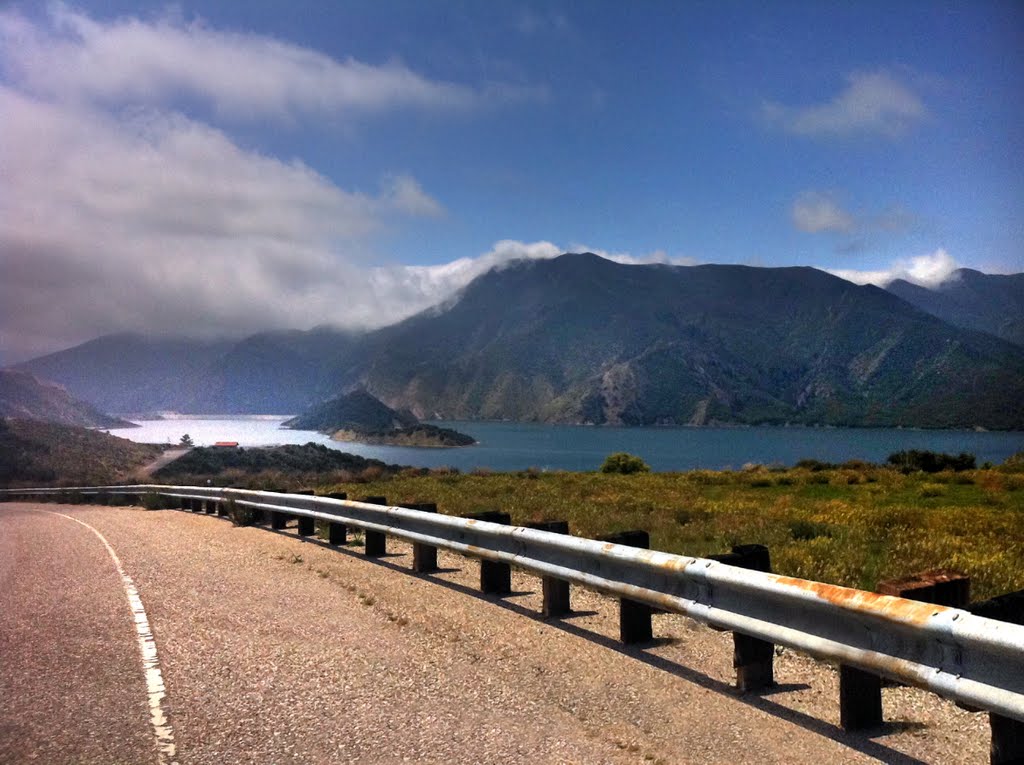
point(860, 692)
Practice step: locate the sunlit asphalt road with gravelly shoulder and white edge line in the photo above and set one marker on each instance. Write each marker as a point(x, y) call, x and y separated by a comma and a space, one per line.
point(278, 650)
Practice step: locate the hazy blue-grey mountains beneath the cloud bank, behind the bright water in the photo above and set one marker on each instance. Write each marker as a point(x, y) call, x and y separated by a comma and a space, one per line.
point(268, 373)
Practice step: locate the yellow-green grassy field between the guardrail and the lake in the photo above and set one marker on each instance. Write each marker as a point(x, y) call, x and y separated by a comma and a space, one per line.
point(851, 527)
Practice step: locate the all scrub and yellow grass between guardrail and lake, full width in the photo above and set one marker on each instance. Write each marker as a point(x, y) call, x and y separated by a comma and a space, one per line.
point(852, 525)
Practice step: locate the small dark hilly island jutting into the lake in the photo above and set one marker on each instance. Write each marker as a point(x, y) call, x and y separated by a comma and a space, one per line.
point(360, 417)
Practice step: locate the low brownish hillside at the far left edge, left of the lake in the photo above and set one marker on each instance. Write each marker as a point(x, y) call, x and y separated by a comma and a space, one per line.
point(26, 398)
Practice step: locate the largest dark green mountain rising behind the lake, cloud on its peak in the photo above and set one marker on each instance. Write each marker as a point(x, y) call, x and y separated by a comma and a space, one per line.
point(581, 339)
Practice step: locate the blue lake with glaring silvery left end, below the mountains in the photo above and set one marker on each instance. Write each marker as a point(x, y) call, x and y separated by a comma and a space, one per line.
point(506, 446)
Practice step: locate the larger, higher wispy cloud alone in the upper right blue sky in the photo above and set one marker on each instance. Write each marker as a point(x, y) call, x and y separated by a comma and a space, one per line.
point(871, 103)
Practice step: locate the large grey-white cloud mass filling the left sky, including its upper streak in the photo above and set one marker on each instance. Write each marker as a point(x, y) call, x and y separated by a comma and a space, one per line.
point(118, 211)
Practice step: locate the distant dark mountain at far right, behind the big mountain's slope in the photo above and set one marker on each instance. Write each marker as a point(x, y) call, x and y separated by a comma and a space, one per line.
point(988, 303)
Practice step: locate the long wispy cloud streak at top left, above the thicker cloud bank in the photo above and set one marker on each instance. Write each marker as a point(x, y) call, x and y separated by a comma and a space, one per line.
point(243, 76)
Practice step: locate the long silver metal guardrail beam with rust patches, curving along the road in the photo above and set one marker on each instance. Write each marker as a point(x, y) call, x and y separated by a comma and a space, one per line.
point(975, 661)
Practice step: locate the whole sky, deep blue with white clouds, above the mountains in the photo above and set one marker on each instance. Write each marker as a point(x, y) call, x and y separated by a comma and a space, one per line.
point(217, 166)
